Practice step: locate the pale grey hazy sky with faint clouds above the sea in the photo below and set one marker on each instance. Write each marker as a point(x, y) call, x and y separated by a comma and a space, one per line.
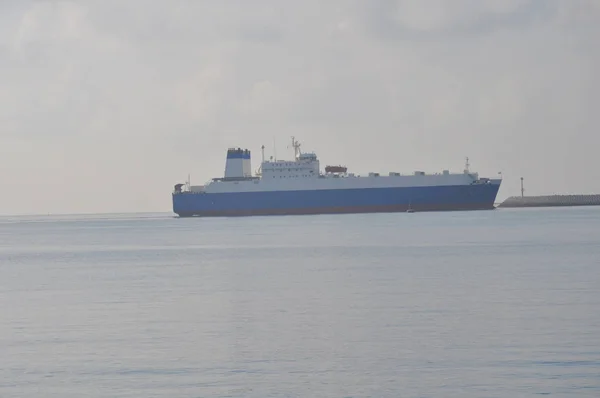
point(105, 105)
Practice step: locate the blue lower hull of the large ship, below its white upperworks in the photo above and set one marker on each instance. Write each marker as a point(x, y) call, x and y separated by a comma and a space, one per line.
point(370, 200)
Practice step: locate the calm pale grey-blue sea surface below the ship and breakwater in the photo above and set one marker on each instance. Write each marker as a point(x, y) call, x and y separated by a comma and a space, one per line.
point(501, 303)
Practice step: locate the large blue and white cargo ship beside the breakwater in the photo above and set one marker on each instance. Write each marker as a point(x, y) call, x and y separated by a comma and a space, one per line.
point(298, 186)
